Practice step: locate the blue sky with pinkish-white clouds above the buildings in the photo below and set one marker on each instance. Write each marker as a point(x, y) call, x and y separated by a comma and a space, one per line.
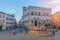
point(15, 6)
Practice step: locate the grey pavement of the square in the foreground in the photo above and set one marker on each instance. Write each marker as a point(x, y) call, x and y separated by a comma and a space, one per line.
point(20, 36)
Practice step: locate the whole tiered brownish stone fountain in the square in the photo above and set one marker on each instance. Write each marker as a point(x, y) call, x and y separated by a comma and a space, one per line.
point(39, 32)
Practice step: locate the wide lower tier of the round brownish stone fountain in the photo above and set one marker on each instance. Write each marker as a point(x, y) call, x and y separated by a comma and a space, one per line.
point(38, 34)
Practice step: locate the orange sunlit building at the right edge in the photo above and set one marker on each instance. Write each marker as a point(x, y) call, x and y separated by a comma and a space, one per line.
point(56, 19)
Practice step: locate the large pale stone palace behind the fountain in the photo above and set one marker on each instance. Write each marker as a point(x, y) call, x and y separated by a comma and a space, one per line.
point(36, 16)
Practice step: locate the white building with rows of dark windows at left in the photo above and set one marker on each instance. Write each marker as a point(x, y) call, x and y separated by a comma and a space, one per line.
point(7, 20)
